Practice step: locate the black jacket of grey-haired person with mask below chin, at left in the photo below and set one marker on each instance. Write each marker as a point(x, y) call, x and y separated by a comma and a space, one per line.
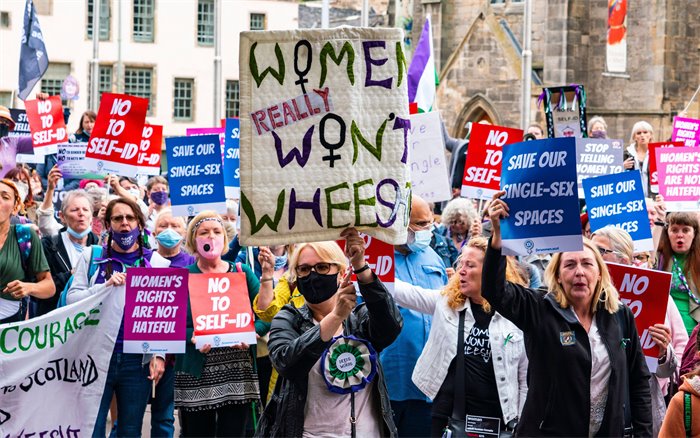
point(59, 264)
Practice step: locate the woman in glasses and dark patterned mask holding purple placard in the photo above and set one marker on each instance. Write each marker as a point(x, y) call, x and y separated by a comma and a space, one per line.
point(127, 377)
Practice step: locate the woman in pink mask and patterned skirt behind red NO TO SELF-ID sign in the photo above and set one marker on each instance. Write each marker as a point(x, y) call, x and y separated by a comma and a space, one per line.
point(215, 387)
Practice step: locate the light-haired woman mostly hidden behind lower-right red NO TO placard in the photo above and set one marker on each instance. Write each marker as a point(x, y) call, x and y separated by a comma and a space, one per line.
point(616, 246)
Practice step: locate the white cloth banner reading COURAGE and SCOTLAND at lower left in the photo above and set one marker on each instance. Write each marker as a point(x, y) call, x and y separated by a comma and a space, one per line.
point(53, 368)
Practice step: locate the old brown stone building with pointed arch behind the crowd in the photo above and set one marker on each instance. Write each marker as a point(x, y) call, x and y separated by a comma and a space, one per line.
point(478, 46)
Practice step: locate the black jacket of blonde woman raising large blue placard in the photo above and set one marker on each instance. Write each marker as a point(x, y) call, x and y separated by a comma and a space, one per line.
point(558, 399)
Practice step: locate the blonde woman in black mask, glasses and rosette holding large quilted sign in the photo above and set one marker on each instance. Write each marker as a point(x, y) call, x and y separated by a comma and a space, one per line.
point(326, 352)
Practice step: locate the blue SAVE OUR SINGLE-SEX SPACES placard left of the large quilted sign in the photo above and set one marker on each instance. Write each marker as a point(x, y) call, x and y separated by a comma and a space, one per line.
point(195, 174)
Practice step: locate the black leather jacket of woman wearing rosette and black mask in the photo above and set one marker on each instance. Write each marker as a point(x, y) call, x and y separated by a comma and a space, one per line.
point(295, 345)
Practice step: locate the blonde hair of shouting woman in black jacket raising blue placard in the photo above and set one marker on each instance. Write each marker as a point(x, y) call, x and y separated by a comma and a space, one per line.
point(611, 298)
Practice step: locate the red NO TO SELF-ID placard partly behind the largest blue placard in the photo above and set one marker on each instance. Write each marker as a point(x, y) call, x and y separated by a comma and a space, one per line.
point(482, 169)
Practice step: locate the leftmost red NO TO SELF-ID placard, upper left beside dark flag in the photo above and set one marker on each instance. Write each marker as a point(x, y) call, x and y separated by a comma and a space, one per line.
point(46, 123)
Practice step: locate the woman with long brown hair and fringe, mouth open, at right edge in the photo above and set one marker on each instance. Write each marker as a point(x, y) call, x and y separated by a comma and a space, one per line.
point(679, 254)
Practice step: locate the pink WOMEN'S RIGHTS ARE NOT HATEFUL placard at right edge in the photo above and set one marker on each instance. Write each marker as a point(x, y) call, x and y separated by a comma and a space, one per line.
point(679, 177)
